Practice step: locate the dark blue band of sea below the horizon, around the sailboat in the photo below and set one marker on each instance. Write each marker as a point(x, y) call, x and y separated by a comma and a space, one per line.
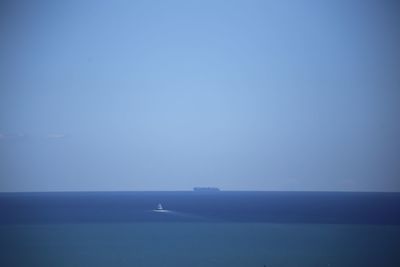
point(228, 206)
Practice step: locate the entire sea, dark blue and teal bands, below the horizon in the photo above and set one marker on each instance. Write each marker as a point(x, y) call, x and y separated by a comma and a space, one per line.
point(200, 229)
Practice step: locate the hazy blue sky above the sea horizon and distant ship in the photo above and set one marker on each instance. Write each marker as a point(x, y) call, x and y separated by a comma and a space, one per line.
point(169, 95)
